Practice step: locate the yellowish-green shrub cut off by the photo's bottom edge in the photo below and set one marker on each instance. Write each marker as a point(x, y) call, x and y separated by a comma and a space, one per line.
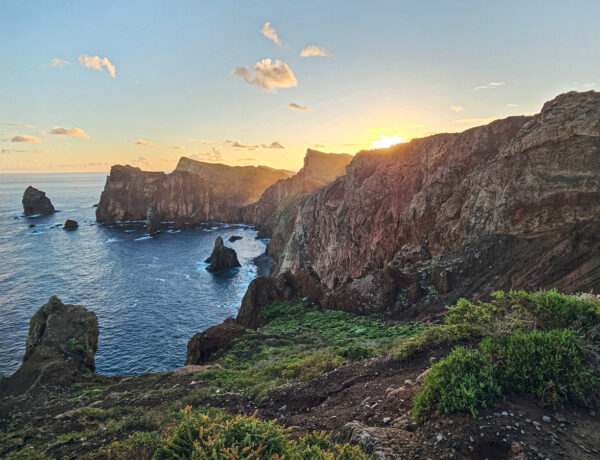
point(219, 437)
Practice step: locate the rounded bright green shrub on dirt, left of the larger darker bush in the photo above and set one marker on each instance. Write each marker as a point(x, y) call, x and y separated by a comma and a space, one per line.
point(463, 381)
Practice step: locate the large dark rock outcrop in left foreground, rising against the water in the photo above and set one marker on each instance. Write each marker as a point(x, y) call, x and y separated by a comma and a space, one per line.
point(60, 345)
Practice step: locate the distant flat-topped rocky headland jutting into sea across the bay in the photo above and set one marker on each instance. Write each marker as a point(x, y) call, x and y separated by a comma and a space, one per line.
point(194, 192)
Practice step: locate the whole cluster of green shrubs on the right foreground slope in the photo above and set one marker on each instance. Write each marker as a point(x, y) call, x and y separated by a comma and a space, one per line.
point(542, 345)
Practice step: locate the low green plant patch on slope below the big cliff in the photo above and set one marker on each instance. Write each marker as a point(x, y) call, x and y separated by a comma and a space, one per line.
point(302, 342)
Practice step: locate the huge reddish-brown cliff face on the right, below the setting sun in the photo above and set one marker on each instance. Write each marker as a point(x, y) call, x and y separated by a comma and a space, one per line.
point(508, 205)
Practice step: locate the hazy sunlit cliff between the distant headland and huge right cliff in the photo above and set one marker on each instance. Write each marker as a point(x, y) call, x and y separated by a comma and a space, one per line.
point(276, 206)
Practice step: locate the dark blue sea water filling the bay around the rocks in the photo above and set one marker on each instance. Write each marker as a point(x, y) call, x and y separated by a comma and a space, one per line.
point(150, 294)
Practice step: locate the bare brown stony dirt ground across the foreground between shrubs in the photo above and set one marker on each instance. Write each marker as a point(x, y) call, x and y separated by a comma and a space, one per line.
point(367, 402)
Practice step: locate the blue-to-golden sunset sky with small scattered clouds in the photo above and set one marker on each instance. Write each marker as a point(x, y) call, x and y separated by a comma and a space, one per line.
point(88, 84)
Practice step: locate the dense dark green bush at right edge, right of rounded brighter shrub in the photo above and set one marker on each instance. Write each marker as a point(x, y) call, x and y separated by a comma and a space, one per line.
point(548, 366)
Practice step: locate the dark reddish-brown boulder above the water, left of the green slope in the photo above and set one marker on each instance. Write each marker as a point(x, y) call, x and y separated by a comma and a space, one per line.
point(208, 345)
